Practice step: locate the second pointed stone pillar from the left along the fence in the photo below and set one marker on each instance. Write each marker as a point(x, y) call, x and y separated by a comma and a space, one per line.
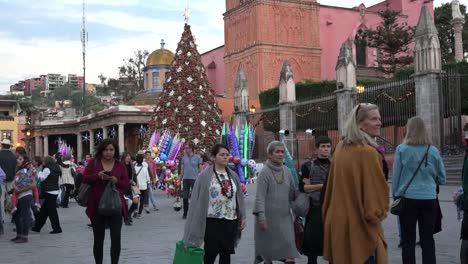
point(287, 99)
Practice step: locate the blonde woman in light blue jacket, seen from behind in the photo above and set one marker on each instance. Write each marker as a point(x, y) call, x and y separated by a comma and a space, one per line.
point(417, 170)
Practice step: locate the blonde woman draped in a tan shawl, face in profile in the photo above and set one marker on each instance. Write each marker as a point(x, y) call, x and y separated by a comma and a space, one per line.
point(356, 199)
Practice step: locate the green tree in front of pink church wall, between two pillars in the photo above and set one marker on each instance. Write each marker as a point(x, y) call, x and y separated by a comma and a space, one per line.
point(392, 40)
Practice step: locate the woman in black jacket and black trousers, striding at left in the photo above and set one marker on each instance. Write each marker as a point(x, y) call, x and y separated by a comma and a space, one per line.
point(49, 177)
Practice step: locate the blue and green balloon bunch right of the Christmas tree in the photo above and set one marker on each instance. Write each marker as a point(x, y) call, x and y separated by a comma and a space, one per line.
point(240, 141)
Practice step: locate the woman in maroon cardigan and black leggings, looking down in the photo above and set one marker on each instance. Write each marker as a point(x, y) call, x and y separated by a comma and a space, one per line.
point(103, 170)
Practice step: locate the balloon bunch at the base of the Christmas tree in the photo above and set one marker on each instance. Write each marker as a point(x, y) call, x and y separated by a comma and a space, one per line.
point(165, 149)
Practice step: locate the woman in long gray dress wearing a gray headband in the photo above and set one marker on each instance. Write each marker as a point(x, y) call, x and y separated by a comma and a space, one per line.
point(274, 230)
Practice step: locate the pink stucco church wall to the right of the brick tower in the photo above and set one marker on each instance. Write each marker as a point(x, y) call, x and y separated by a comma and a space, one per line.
point(338, 25)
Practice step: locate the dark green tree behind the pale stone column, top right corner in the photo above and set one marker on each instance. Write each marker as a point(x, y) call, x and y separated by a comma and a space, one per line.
point(443, 22)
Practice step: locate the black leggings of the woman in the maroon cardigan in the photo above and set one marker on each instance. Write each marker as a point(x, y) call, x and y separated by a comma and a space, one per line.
point(99, 231)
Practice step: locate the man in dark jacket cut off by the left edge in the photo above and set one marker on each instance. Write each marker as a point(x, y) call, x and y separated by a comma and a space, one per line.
point(8, 164)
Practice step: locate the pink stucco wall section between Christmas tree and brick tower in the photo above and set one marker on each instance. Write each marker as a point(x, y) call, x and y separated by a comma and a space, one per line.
point(215, 76)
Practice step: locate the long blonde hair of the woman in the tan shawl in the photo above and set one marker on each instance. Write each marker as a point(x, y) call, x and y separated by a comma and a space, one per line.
point(353, 133)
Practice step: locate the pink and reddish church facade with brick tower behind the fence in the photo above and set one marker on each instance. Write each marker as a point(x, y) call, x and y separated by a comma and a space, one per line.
point(261, 34)
